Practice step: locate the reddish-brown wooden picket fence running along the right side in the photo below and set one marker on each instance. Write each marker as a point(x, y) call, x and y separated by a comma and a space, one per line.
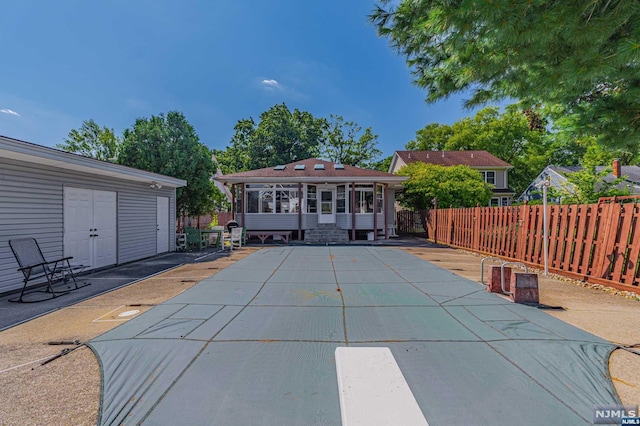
point(598, 243)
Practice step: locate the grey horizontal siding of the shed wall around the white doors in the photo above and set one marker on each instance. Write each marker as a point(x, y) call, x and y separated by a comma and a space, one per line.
point(31, 205)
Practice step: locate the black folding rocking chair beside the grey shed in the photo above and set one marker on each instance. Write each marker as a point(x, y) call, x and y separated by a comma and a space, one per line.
point(38, 271)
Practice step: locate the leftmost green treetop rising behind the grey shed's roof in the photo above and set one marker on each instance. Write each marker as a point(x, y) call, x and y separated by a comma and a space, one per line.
point(94, 141)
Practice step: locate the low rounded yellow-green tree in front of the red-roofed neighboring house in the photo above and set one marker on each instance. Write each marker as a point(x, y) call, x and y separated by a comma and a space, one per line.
point(453, 186)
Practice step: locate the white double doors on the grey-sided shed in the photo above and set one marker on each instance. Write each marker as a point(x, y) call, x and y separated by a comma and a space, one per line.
point(90, 231)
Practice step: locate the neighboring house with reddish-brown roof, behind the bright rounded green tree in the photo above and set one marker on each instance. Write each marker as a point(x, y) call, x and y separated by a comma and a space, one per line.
point(494, 170)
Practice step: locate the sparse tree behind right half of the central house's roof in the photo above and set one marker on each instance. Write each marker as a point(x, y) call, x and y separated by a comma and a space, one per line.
point(344, 142)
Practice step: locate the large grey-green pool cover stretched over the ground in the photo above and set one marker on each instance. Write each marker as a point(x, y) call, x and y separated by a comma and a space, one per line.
point(254, 345)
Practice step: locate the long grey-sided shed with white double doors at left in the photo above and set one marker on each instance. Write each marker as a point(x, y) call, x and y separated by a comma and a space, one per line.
point(100, 213)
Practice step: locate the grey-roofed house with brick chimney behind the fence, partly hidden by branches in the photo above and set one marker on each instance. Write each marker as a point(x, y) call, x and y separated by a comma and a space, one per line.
point(557, 177)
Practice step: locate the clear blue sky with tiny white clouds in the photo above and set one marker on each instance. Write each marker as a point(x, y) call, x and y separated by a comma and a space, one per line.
point(216, 61)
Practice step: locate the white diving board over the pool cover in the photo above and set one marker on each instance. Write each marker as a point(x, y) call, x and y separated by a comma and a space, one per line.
point(373, 390)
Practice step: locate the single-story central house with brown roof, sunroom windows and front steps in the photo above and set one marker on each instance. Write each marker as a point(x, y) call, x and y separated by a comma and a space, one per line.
point(319, 201)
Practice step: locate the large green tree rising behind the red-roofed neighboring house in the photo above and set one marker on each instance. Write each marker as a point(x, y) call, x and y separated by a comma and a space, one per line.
point(508, 136)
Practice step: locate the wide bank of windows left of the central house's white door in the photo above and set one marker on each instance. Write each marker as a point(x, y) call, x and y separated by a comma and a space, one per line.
point(272, 198)
